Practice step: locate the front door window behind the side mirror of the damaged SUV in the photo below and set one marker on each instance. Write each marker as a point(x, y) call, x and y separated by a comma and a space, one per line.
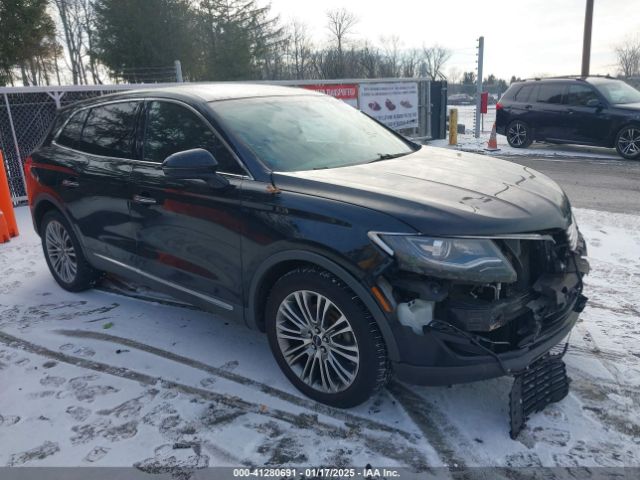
point(173, 128)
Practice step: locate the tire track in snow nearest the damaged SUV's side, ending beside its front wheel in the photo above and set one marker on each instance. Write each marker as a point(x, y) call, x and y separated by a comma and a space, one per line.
point(234, 377)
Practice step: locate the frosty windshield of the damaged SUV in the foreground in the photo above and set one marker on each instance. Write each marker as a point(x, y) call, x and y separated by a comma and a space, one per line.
point(308, 132)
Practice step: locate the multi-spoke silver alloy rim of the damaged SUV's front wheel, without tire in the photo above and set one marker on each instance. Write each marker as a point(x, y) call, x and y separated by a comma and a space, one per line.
point(317, 341)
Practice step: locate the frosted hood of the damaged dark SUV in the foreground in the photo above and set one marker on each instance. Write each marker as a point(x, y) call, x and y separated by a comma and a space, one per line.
point(443, 192)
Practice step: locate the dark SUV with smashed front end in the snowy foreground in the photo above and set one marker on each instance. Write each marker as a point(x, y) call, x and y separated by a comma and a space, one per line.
point(358, 252)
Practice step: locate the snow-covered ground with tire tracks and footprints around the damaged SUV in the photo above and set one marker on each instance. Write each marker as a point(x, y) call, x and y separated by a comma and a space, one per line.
point(103, 379)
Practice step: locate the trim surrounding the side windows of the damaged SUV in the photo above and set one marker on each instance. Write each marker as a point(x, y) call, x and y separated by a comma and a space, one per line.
point(159, 99)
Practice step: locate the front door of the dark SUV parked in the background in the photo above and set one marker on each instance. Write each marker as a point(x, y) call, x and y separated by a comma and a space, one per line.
point(586, 123)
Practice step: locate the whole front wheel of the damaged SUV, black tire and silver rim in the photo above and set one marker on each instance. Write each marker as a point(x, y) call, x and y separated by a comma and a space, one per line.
point(324, 339)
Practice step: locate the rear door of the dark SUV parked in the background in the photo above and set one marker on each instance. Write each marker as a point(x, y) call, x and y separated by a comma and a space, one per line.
point(549, 111)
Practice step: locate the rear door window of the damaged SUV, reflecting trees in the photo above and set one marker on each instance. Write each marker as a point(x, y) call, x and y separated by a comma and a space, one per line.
point(109, 130)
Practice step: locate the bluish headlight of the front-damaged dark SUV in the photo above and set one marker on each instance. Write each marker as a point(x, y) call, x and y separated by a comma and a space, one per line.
point(467, 259)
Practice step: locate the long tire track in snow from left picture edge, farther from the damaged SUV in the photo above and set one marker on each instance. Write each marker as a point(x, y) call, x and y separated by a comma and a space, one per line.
point(382, 445)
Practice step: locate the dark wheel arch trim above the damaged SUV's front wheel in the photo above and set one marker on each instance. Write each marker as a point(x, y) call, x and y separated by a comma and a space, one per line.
point(280, 263)
